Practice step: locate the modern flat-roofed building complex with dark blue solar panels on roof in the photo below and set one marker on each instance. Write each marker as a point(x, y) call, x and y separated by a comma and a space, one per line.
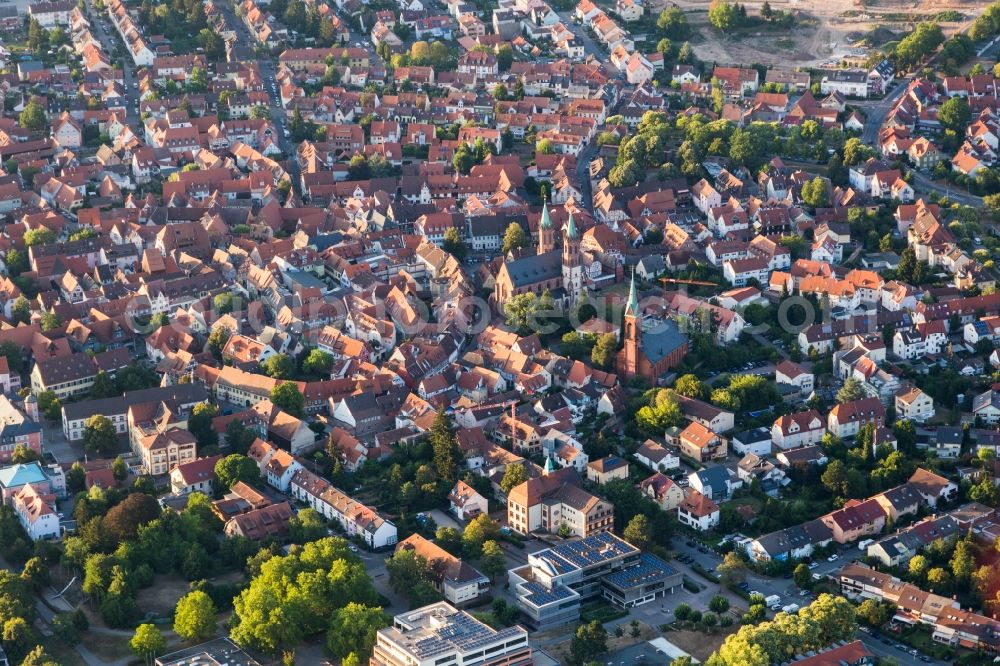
point(551, 587)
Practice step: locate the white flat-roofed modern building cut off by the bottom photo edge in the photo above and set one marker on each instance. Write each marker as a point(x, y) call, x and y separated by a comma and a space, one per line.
point(441, 634)
